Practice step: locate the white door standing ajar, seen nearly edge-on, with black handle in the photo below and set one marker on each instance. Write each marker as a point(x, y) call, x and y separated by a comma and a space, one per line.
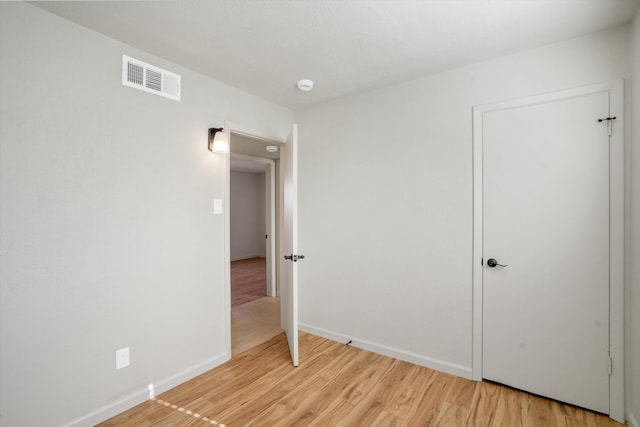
point(289, 242)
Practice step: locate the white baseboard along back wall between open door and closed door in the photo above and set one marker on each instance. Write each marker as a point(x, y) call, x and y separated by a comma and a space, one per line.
point(418, 359)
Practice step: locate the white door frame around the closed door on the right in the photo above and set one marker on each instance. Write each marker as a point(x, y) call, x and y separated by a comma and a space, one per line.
point(616, 229)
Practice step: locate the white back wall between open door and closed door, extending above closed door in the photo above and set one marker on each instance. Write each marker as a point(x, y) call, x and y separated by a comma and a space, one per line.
point(385, 192)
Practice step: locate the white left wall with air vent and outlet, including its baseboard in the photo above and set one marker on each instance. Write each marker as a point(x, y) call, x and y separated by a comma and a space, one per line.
point(107, 233)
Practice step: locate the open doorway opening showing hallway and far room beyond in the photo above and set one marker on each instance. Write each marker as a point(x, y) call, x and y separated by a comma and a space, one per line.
point(255, 304)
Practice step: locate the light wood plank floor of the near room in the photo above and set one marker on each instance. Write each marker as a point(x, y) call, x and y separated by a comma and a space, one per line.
point(338, 385)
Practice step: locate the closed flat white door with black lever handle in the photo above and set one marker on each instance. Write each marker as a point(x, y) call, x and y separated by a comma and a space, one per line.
point(546, 218)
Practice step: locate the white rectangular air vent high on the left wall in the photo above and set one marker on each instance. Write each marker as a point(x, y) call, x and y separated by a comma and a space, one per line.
point(148, 78)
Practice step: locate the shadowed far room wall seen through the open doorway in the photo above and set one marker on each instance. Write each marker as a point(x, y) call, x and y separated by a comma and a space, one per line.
point(248, 226)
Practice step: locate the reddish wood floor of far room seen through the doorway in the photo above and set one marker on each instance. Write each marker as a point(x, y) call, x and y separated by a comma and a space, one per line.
point(248, 280)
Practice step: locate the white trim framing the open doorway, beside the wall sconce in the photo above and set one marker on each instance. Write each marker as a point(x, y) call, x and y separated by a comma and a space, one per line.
point(237, 128)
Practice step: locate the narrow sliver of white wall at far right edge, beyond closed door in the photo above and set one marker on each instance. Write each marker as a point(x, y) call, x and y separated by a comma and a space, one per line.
point(633, 300)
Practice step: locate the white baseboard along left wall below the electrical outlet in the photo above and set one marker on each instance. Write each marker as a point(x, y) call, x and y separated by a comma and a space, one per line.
point(136, 398)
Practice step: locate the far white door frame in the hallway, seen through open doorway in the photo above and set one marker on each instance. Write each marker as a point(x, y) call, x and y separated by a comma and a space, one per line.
point(270, 186)
